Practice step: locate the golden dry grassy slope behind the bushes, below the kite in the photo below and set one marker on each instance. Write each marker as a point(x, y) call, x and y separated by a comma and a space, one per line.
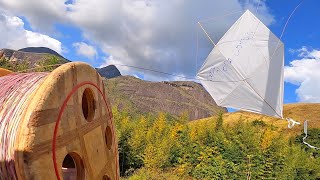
point(299, 112)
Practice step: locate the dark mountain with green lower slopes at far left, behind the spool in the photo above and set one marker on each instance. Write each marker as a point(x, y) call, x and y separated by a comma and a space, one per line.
point(28, 58)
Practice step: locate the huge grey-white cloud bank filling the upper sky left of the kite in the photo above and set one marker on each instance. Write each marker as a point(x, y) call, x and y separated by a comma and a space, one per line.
point(155, 34)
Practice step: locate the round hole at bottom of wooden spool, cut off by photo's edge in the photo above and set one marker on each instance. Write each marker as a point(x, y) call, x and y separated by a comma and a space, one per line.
point(72, 167)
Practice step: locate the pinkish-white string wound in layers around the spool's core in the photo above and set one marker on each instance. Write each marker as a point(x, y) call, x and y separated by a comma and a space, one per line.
point(15, 90)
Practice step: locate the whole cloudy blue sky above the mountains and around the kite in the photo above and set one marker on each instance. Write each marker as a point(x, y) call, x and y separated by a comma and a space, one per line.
point(160, 35)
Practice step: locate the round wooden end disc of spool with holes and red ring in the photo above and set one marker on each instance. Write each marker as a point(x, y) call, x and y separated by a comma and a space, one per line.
point(85, 141)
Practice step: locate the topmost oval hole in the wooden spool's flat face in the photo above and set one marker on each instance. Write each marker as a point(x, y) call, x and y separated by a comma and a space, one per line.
point(88, 104)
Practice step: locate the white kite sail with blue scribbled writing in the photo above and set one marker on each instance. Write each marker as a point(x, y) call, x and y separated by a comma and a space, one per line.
point(245, 68)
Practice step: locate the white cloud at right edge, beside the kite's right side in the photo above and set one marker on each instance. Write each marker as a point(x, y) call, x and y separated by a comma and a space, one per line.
point(305, 73)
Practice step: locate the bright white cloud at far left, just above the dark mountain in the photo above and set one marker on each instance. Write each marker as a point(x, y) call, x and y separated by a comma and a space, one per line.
point(14, 36)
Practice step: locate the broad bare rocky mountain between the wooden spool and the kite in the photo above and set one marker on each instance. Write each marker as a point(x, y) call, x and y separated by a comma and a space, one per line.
point(175, 98)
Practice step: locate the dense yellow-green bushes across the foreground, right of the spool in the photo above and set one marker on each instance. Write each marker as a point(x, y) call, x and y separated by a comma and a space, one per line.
point(165, 147)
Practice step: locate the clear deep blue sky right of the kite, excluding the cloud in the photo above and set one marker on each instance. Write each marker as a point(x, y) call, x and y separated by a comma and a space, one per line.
point(303, 30)
